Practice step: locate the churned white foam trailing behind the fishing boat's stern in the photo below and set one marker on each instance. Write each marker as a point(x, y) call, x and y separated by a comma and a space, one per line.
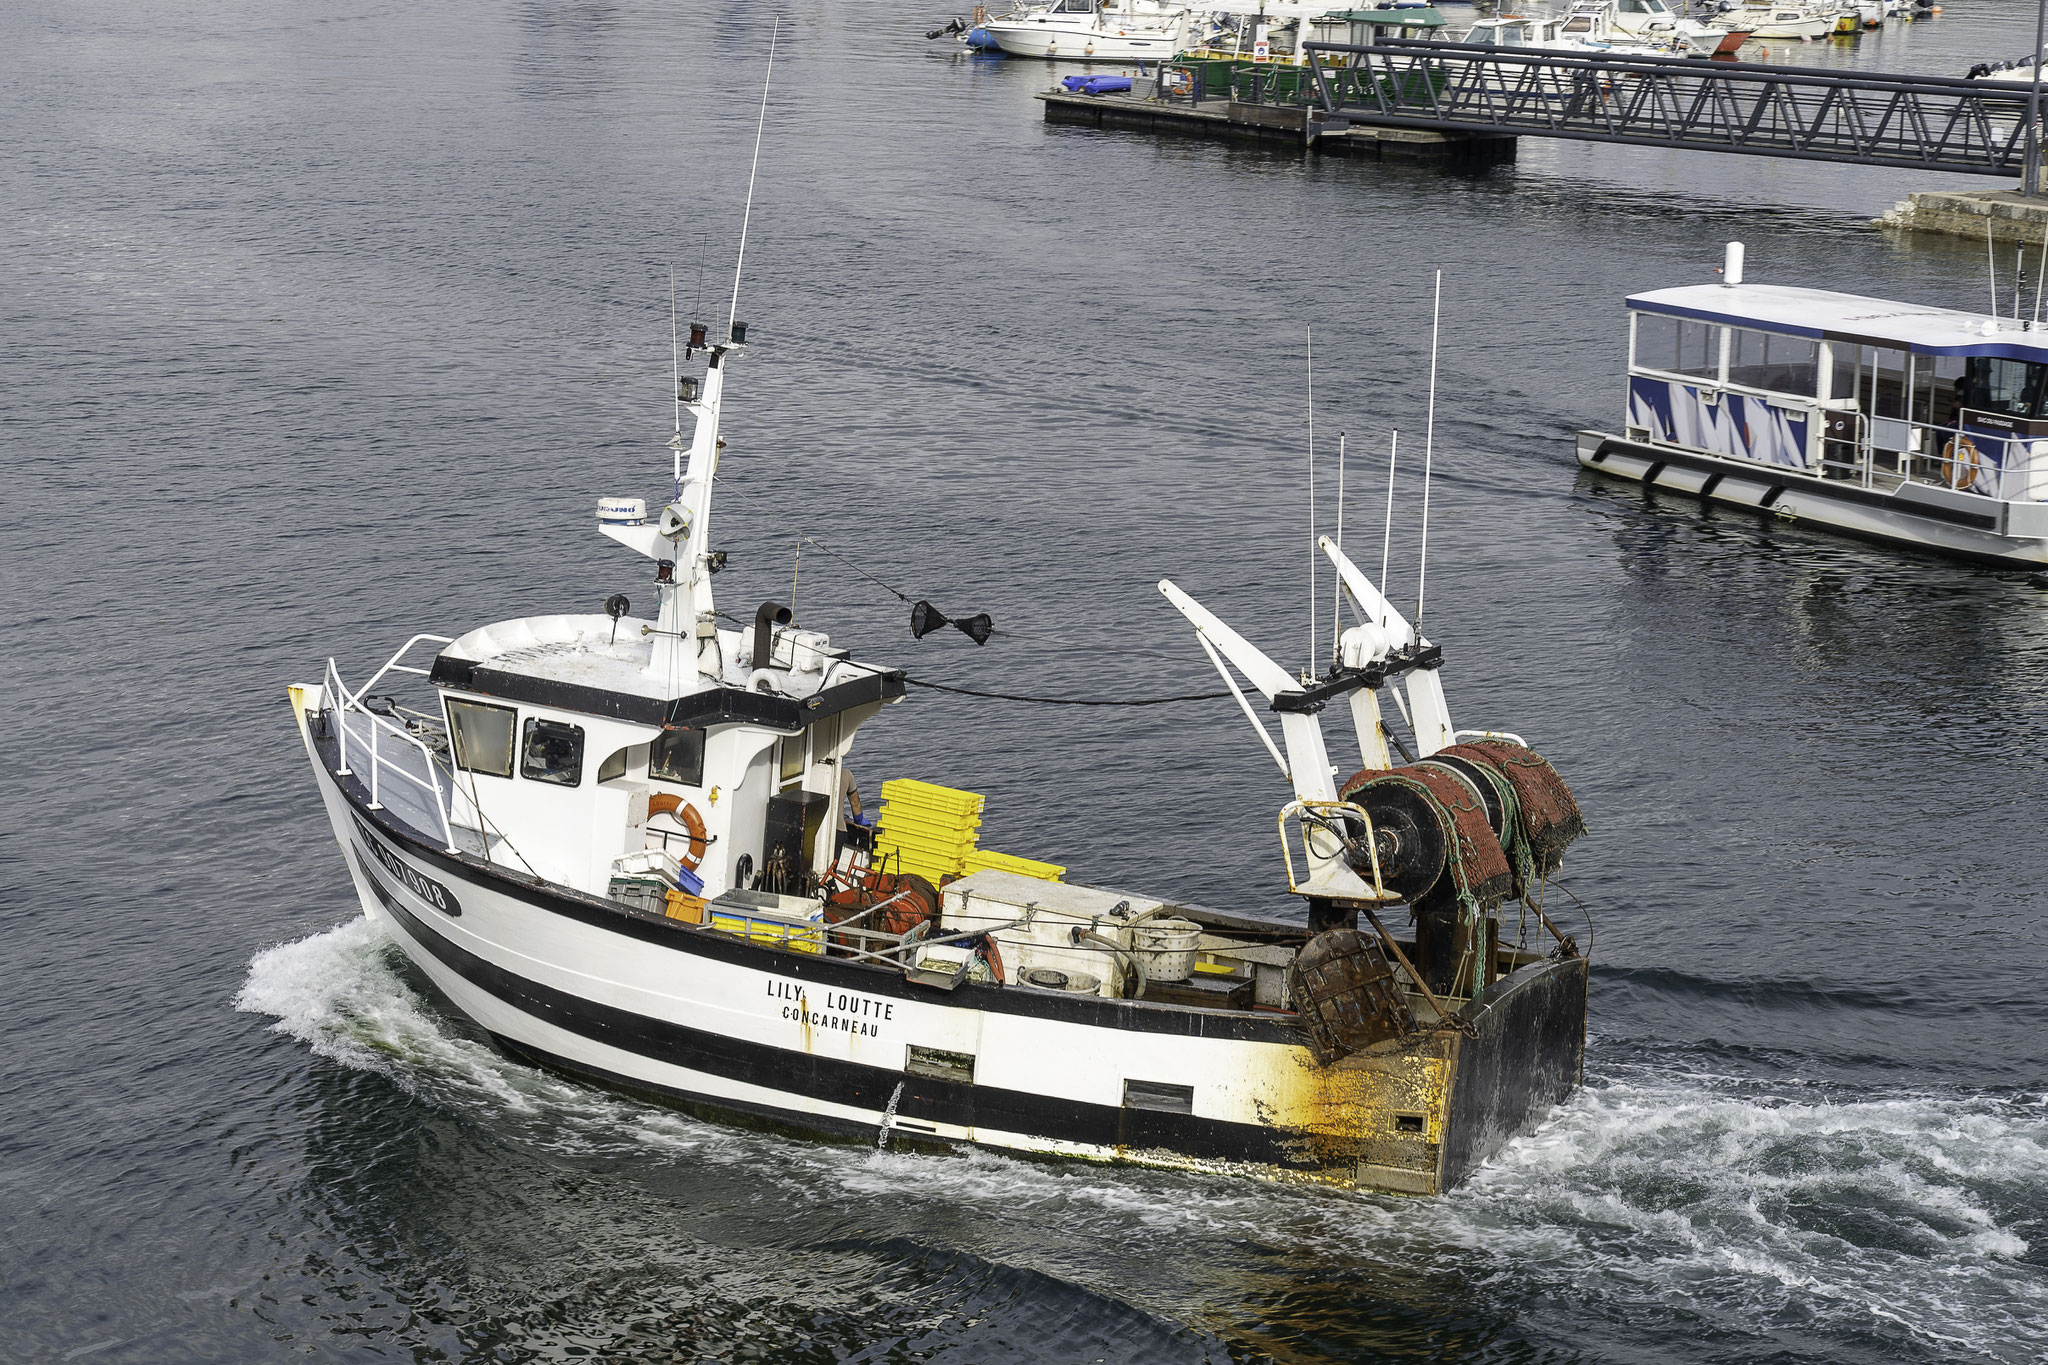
point(1762, 1210)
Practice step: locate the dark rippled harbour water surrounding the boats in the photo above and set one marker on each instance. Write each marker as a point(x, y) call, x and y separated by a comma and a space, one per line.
point(327, 326)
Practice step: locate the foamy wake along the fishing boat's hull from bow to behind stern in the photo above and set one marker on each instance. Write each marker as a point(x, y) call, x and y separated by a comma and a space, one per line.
point(1791, 1219)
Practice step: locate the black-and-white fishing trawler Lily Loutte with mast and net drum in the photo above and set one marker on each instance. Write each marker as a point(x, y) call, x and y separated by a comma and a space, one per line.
point(630, 848)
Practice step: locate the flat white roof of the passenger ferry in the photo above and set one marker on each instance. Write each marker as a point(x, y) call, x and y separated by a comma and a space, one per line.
point(1846, 318)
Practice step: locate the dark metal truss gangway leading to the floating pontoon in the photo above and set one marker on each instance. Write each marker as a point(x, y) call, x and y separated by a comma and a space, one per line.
point(1816, 116)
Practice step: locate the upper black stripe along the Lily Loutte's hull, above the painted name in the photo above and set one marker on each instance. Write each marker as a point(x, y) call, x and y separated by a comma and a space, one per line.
point(888, 983)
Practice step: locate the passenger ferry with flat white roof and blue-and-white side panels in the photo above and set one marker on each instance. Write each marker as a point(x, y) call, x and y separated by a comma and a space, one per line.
point(1887, 421)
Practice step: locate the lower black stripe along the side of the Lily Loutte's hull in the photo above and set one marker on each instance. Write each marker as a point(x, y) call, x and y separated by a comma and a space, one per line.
point(837, 1082)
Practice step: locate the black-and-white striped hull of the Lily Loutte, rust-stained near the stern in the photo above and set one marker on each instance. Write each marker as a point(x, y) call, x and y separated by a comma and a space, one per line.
point(712, 1020)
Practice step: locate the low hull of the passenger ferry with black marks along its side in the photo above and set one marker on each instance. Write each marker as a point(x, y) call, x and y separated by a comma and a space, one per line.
point(1930, 519)
